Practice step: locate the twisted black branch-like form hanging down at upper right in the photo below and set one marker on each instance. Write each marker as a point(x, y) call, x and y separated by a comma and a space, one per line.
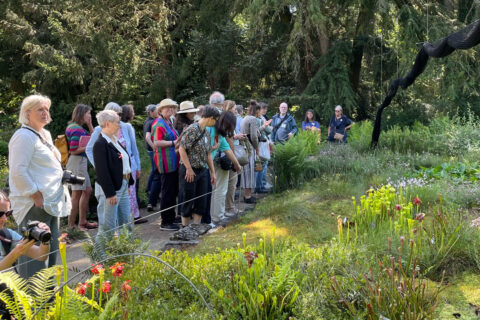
point(466, 38)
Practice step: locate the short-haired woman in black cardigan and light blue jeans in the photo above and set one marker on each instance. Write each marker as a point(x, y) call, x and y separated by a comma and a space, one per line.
point(112, 165)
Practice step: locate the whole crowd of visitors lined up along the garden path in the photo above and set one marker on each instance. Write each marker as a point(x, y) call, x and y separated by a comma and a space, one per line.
point(201, 157)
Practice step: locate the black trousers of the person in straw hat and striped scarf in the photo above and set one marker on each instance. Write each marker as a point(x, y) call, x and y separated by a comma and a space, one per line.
point(169, 196)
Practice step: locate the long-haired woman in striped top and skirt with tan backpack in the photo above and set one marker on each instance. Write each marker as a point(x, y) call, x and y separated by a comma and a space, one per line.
point(77, 138)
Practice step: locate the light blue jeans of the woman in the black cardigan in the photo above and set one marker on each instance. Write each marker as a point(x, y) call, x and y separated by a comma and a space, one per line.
point(111, 215)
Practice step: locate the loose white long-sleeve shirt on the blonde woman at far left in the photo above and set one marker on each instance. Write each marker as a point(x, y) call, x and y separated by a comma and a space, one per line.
point(33, 167)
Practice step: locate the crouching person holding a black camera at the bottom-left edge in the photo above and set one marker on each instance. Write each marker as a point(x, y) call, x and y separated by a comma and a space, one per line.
point(13, 245)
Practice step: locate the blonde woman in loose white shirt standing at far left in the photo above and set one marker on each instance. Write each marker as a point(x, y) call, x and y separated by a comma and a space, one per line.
point(35, 178)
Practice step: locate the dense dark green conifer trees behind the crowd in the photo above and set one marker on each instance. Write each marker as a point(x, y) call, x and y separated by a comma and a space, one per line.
point(313, 54)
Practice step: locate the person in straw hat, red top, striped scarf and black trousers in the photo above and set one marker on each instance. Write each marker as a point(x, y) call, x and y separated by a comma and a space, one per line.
point(166, 159)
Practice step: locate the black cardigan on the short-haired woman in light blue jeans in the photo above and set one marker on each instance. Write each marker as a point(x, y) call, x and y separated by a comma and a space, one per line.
point(108, 167)
